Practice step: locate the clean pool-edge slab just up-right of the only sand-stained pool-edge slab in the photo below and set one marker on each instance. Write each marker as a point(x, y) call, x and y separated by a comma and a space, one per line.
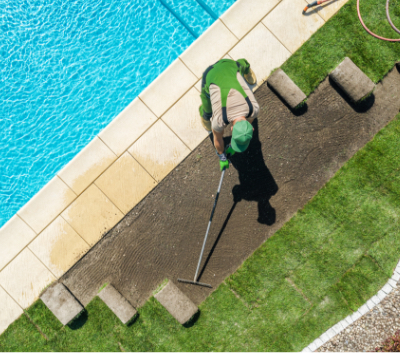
point(127, 127)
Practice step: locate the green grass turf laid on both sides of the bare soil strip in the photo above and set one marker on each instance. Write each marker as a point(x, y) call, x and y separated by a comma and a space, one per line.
point(319, 267)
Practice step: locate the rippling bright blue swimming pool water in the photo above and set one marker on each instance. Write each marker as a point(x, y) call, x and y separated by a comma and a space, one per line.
point(68, 67)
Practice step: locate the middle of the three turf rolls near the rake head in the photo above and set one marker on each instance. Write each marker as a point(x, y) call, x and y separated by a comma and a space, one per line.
point(118, 304)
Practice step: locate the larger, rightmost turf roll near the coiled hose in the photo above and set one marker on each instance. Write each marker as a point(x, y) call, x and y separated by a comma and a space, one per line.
point(354, 83)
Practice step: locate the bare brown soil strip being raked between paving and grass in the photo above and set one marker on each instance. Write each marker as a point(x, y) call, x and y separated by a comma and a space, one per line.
point(290, 158)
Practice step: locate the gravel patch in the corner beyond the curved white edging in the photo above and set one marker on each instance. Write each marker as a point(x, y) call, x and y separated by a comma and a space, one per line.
point(370, 330)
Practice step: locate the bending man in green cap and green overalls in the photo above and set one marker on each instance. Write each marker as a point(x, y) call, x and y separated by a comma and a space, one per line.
point(227, 99)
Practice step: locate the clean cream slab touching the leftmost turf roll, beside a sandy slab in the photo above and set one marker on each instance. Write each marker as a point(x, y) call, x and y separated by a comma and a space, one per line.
point(24, 278)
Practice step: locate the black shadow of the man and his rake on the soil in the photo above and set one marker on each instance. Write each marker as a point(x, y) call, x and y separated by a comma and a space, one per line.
point(256, 184)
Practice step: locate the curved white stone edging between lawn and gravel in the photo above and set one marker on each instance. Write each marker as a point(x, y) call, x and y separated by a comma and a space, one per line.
point(364, 309)
